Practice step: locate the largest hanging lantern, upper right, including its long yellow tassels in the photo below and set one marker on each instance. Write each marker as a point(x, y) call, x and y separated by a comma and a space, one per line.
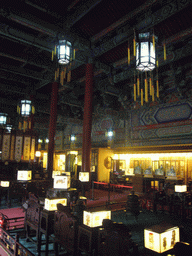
point(144, 52)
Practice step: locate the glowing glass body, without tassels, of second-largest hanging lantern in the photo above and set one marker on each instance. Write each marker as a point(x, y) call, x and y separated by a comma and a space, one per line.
point(64, 52)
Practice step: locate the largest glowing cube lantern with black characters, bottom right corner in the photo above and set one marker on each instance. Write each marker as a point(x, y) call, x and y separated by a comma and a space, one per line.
point(161, 238)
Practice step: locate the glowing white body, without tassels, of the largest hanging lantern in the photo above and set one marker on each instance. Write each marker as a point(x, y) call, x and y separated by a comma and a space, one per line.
point(145, 52)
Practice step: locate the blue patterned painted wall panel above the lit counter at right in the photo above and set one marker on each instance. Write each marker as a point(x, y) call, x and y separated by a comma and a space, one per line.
point(164, 121)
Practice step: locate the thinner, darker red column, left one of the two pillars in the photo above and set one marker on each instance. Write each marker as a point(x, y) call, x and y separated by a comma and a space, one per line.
point(52, 127)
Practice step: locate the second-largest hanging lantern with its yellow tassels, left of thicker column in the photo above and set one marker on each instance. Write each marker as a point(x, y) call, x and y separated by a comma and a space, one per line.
point(64, 55)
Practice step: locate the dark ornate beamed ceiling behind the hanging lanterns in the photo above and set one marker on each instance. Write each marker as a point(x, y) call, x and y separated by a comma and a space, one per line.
point(29, 30)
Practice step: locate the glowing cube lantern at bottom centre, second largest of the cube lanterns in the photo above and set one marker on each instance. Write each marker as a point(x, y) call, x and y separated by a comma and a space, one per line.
point(95, 219)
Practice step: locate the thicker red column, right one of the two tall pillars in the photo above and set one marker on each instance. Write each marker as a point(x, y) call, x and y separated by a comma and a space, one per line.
point(87, 118)
